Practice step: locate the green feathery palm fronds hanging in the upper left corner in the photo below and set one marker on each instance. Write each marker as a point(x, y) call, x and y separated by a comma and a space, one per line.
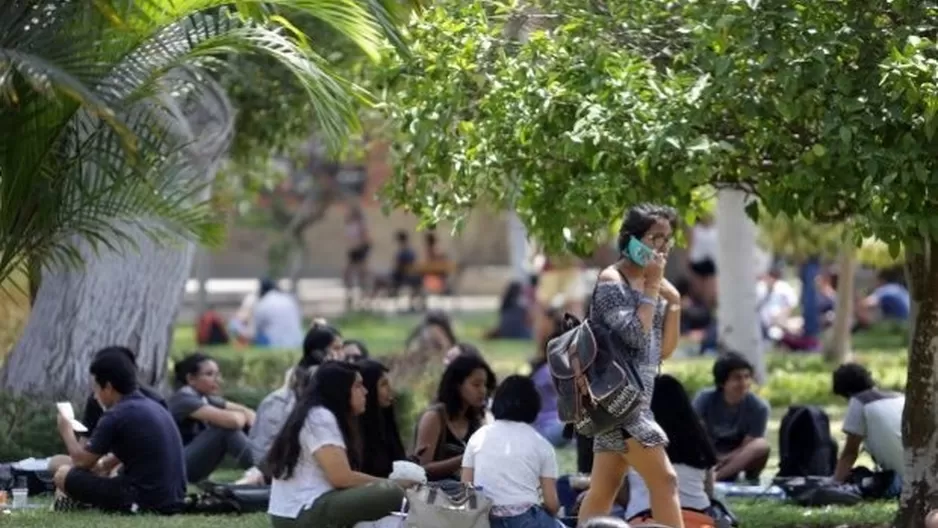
point(94, 144)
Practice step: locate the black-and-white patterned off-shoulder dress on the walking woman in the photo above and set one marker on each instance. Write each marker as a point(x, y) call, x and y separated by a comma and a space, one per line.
point(615, 305)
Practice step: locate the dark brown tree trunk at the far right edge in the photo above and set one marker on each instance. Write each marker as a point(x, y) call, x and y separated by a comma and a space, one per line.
point(919, 418)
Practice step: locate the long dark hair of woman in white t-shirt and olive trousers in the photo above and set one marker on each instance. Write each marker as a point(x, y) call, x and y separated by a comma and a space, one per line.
point(331, 388)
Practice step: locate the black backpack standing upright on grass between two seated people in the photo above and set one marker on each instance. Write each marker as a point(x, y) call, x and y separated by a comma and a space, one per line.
point(805, 444)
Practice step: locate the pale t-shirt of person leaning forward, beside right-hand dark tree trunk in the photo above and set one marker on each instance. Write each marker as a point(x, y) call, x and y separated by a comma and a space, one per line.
point(877, 417)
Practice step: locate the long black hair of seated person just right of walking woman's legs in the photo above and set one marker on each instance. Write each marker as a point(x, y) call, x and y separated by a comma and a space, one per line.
point(688, 442)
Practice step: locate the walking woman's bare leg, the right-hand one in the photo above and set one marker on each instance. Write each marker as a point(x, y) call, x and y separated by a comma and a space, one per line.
point(653, 466)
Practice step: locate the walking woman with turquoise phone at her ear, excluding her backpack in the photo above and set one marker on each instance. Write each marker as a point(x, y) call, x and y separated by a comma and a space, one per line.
point(634, 300)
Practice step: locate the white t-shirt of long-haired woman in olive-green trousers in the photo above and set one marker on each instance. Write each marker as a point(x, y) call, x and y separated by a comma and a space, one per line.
point(290, 497)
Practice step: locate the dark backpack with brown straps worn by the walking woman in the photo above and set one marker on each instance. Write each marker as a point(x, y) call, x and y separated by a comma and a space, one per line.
point(597, 388)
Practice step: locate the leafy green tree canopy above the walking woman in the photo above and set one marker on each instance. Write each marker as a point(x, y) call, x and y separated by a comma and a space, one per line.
point(823, 110)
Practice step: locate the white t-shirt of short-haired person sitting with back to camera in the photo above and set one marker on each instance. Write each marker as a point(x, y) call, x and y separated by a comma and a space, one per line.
point(509, 459)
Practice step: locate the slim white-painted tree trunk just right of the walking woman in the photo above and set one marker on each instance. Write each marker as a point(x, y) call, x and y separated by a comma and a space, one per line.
point(737, 264)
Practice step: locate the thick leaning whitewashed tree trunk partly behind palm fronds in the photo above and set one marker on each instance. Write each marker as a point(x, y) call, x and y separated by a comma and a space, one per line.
point(128, 299)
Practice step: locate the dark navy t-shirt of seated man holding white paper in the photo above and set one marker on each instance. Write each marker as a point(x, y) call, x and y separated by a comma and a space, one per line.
point(143, 436)
